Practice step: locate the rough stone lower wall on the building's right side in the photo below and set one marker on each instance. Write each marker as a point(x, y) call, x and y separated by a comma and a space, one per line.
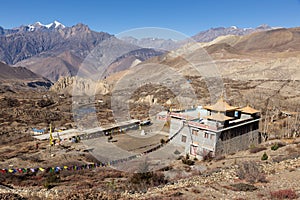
point(238, 143)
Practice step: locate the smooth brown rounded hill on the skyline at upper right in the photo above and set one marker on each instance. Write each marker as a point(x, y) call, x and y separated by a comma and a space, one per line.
point(275, 40)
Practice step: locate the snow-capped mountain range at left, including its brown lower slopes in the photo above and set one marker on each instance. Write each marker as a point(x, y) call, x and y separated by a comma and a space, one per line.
point(55, 50)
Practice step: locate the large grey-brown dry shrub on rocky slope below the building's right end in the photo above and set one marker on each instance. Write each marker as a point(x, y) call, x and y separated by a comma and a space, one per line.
point(250, 172)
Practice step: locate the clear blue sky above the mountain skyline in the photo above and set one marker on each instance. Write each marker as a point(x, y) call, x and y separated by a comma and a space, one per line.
point(186, 16)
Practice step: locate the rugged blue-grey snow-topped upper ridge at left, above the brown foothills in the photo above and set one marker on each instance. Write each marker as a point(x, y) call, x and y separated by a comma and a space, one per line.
point(27, 41)
